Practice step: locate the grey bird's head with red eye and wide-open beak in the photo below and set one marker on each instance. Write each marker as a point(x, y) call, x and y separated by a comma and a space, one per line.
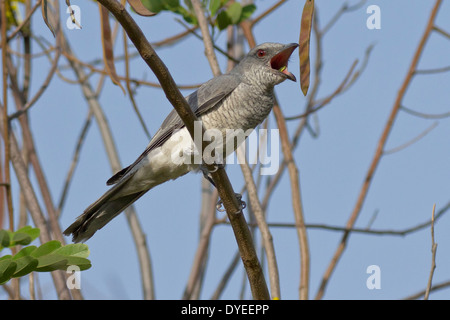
point(267, 63)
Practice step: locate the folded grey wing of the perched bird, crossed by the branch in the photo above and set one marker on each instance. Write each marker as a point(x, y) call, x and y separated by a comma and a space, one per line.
point(201, 101)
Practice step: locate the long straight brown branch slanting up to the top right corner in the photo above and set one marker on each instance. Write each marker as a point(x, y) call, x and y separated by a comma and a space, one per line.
point(378, 153)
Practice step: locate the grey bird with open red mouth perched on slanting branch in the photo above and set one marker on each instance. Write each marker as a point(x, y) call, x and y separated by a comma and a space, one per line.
point(240, 99)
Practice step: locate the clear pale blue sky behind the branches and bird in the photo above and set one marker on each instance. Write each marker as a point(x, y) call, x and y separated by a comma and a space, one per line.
point(332, 165)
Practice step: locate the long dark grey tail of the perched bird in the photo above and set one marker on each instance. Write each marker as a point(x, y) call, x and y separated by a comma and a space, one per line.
point(100, 213)
